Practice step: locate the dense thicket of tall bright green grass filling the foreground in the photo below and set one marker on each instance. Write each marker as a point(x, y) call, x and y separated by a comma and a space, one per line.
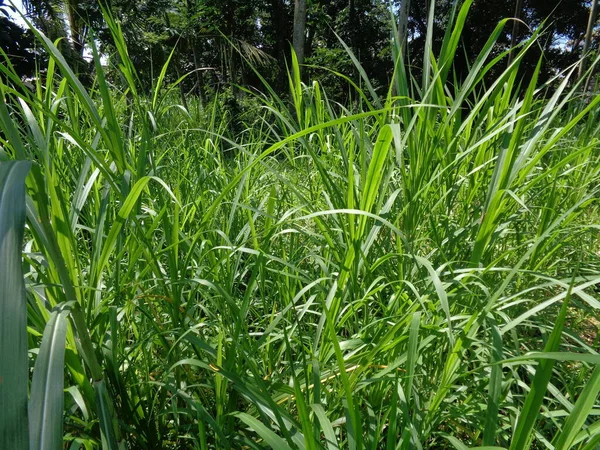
point(417, 270)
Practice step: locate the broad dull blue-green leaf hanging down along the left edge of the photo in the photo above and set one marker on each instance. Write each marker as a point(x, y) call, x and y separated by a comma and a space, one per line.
point(14, 370)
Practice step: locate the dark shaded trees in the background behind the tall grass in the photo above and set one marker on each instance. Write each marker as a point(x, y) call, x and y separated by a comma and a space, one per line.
point(222, 42)
